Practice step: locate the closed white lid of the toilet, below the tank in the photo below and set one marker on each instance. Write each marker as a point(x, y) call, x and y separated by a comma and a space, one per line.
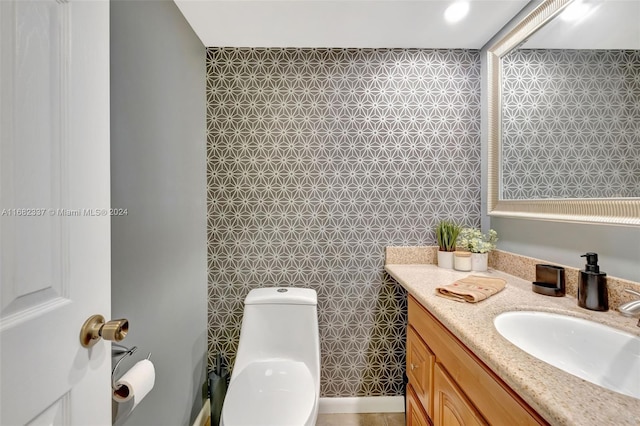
point(265, 393)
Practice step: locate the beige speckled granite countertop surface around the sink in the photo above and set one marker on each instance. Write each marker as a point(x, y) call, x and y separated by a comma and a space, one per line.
point(559, 397)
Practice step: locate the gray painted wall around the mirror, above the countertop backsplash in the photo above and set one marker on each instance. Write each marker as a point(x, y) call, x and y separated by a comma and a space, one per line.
point(618, 247)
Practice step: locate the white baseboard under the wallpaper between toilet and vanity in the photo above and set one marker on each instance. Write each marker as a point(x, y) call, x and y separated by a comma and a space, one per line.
point(365, 404)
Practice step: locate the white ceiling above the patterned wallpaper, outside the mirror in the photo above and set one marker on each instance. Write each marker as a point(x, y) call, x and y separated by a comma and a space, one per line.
point(345, 23)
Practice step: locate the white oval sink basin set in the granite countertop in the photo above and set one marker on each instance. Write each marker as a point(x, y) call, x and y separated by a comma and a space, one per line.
point(594, 352)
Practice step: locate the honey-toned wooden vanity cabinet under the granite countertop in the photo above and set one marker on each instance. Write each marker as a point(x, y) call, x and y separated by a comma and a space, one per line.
point(459, 389)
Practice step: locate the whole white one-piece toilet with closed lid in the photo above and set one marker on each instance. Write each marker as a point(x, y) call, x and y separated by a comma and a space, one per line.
point(276, 376)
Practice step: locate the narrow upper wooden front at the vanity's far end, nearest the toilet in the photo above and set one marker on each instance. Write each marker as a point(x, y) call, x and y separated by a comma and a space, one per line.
point(420, 361)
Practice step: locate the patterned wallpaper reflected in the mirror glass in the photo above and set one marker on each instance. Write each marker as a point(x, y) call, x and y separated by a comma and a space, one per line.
point(571, 124)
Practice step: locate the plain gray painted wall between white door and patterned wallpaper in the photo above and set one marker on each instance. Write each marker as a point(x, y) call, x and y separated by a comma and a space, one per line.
point(158, 173)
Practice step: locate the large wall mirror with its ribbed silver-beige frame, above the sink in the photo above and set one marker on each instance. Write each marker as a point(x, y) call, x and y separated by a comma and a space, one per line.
point(564, 114)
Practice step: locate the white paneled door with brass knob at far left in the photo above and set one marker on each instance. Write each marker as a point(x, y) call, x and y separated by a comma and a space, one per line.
point(55, 240)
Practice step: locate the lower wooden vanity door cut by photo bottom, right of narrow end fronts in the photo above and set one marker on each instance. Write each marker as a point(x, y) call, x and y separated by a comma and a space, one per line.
point(451, 406)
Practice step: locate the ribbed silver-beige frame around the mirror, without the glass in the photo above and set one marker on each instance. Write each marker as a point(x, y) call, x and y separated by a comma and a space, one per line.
point(617, 211)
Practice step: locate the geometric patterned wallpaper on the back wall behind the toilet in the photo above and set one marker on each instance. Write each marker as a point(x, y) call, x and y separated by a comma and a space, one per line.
point(317, 160)
